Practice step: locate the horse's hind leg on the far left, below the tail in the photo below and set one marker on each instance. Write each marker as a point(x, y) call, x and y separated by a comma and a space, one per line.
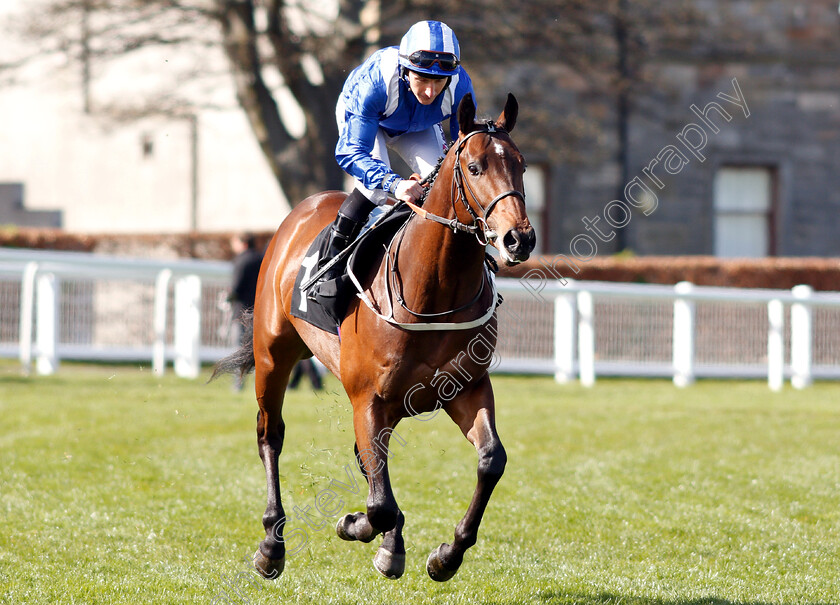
point(274, 362)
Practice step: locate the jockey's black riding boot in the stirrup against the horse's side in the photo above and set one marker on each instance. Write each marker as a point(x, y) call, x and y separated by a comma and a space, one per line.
point(350, 220)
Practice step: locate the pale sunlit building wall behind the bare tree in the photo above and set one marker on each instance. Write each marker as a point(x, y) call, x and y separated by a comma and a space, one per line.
point(62, 165)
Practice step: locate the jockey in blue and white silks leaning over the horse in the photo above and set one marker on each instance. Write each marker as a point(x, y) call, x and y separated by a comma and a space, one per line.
point(395, 100)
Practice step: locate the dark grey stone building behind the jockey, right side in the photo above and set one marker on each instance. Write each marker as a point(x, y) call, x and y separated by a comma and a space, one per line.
point(731, 129)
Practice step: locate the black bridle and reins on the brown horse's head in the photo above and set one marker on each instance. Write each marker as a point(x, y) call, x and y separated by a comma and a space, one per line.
point(460, 187)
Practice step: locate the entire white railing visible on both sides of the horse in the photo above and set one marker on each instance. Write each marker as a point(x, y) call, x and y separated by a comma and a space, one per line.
point(81, 306)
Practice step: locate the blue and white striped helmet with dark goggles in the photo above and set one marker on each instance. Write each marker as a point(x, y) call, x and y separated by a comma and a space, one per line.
point(430, 47)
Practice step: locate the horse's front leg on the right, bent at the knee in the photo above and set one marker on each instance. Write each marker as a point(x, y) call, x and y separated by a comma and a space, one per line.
point(474, 413)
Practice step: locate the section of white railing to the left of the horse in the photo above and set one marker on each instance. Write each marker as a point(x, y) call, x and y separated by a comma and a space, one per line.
point(89, 307)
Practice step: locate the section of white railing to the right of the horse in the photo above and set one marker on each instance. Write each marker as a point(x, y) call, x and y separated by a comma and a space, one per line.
point(683, 331)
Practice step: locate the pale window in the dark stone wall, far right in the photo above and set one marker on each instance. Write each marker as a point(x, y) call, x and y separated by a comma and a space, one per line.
point(743, 206)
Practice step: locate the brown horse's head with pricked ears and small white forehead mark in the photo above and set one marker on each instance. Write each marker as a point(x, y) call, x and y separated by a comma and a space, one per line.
point(488, 175)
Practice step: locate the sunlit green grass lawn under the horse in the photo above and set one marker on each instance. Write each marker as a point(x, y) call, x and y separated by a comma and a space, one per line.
point(121, 487)
